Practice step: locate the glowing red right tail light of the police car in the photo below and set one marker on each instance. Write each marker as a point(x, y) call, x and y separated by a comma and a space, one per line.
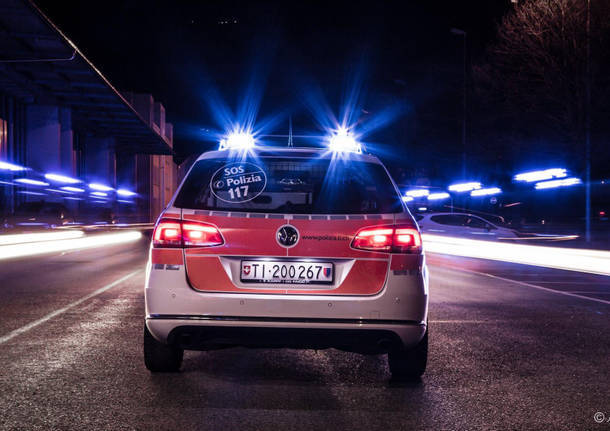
point(390, 239)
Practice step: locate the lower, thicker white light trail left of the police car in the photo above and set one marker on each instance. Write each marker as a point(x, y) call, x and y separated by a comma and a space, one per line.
point(42, 247)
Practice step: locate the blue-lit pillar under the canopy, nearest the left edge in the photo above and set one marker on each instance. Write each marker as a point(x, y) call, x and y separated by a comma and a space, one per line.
point(42, 138)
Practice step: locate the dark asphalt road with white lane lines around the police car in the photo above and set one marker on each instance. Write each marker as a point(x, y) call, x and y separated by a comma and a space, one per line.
point(504, 355)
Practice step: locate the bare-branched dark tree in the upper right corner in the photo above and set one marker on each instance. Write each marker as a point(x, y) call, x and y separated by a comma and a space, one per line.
point(535, 73)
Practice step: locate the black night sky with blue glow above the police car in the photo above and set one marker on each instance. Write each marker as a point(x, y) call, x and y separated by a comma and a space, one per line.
point(399, 54)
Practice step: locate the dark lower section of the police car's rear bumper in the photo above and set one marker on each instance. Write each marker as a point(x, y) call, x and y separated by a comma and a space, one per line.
point(357, 335)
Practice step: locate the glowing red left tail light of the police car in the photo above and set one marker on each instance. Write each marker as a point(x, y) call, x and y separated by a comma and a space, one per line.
point(183, 233)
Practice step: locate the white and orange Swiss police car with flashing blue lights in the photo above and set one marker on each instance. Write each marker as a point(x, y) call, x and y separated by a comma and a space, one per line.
point(287, 247)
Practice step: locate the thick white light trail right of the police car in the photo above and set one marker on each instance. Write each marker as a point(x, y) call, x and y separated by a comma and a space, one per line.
point(571, 259)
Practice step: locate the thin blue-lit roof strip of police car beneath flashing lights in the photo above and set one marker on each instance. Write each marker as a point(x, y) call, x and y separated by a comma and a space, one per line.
point(303, 152)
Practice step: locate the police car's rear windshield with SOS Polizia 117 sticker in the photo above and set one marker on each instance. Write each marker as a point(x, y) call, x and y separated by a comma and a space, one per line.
point(289, 185)
